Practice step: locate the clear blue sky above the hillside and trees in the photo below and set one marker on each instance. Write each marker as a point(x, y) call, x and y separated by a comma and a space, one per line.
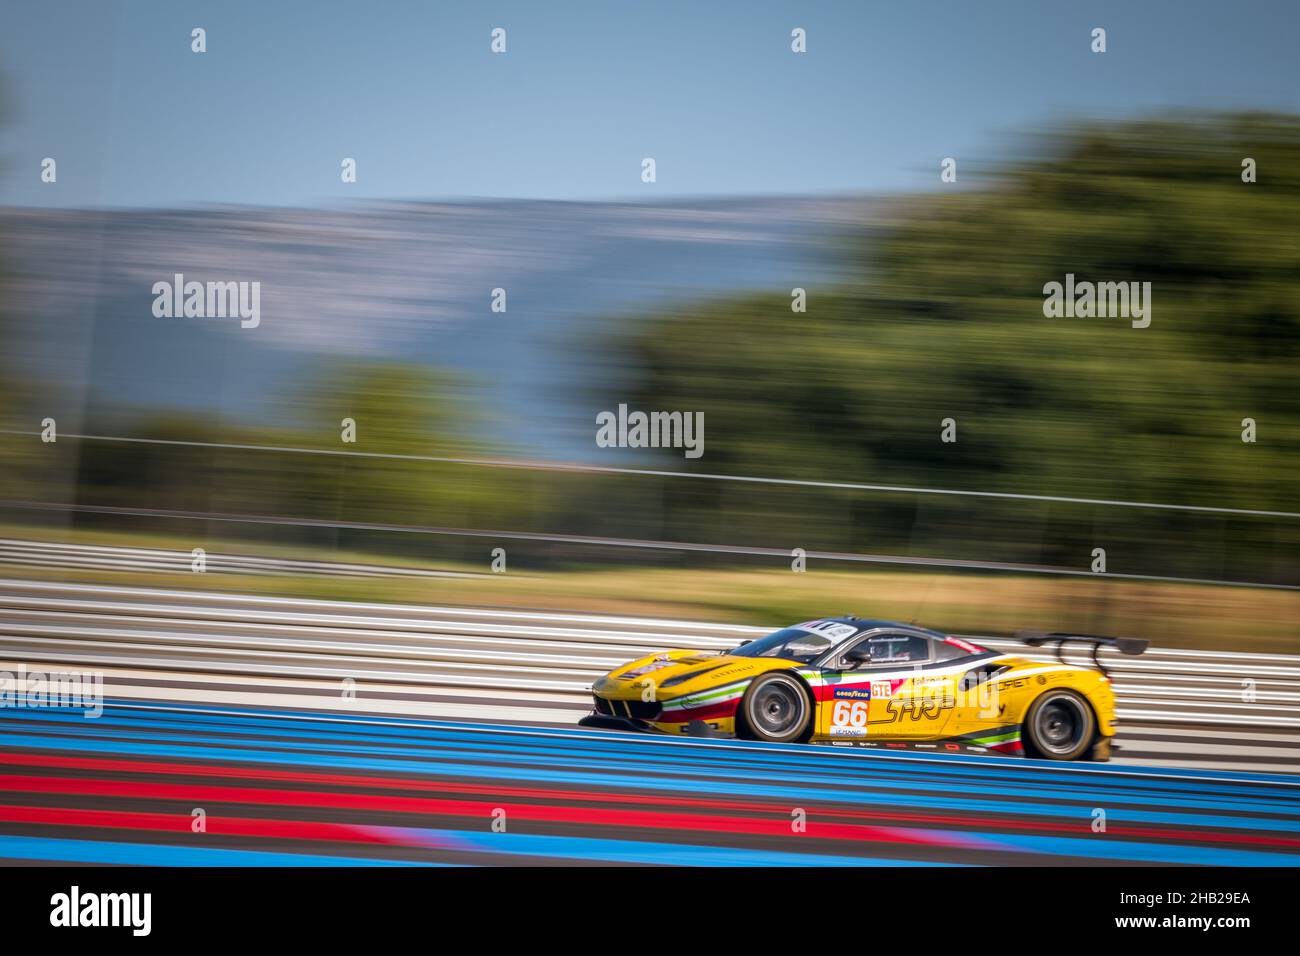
point(712, 90)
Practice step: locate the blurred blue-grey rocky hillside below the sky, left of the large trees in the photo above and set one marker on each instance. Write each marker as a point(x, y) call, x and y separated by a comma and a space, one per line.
point(376, 282)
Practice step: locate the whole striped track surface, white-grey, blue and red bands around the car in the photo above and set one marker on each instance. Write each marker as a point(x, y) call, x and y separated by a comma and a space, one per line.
point(457, 720)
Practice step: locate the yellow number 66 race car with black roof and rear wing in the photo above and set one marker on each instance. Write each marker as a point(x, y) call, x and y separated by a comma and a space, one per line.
point(873, 684)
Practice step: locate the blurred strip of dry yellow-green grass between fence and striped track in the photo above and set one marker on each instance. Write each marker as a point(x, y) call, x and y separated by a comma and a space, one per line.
point(1182, 616)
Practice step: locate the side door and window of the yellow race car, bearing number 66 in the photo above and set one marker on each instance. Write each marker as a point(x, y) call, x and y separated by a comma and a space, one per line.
point(899, 695)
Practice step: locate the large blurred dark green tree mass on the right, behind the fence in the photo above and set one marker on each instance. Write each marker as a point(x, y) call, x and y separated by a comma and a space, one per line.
point(942, 317)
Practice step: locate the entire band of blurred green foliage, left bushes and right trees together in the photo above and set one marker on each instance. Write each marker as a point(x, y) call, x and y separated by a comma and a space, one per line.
point(938, 315)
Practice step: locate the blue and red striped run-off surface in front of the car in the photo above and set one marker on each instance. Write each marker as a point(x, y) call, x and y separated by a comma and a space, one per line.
point(283, 788)
